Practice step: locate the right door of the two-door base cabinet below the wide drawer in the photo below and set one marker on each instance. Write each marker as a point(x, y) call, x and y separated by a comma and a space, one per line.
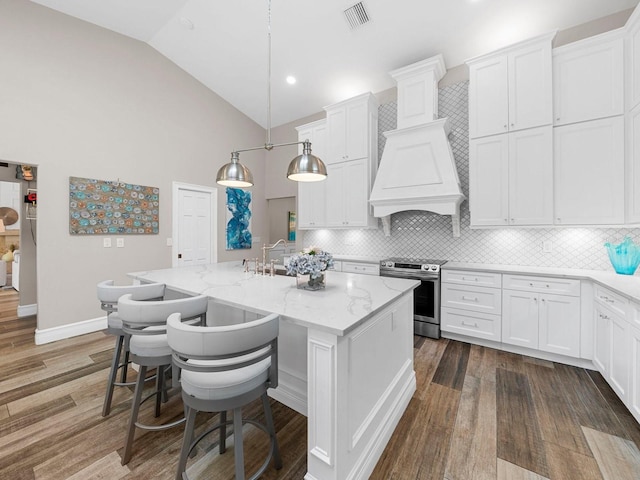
point(560, 325)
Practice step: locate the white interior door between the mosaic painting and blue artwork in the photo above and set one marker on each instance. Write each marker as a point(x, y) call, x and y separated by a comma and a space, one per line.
point(194, 225)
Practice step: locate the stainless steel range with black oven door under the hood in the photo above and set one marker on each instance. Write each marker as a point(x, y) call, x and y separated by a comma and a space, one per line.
point(426, 297)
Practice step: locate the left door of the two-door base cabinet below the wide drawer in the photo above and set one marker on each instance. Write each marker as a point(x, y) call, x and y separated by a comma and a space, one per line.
point(520, 318)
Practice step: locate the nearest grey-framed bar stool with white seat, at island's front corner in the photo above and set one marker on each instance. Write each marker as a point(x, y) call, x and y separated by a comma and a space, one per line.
point(224, 368)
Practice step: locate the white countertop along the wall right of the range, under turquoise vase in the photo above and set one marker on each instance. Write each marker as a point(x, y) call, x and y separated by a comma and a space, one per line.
point(626, 285)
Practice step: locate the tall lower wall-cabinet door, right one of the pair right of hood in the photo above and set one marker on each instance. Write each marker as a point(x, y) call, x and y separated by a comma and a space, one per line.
point(531, 177)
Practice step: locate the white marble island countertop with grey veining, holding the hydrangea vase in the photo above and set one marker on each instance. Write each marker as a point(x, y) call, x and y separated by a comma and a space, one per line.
point(347, 301)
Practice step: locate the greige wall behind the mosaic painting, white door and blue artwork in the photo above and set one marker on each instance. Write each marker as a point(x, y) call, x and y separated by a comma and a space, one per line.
point(79, 100)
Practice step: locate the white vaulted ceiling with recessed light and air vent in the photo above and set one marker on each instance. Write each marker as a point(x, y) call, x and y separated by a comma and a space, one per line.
point(223, 43)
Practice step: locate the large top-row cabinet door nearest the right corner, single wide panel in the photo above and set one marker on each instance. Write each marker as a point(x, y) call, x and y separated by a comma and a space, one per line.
point(589, 79)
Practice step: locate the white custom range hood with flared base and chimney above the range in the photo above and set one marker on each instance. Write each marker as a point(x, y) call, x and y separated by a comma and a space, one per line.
point(417, 170)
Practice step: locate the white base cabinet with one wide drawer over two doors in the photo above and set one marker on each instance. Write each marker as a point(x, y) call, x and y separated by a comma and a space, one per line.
point(541, 313)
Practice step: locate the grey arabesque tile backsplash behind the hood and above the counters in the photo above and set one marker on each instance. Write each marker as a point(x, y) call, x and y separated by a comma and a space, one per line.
point(428, 235)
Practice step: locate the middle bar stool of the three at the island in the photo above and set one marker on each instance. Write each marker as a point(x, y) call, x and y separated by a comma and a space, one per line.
point(146, 323)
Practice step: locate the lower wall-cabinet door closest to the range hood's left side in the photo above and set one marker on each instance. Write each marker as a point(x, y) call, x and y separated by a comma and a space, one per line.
point(355, 193)
